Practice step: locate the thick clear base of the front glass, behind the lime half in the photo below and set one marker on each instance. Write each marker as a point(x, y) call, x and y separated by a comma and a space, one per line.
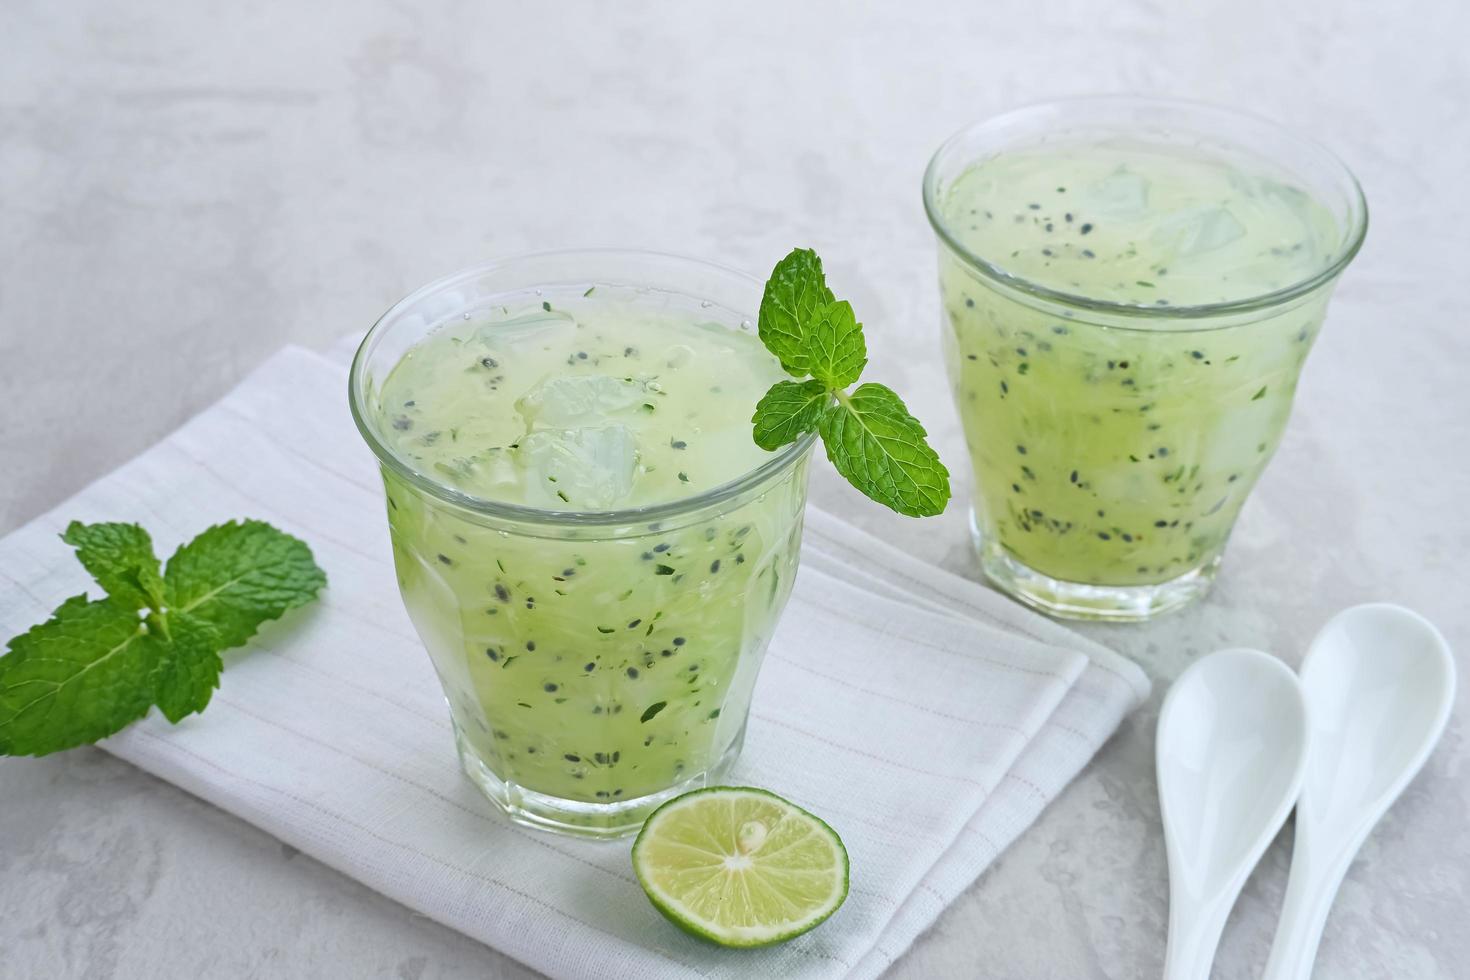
point(599, 822)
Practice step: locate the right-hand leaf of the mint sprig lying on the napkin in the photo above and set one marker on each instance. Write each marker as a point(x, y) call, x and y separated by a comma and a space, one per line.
point(239, 575)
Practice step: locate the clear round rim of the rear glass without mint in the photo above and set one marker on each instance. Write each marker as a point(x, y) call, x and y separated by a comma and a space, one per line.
point(1352, 240)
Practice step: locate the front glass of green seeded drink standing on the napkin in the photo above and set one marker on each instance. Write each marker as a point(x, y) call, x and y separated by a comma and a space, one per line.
point(587, 540)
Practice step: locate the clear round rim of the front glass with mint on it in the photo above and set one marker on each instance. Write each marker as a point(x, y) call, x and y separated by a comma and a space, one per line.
point(521, 514)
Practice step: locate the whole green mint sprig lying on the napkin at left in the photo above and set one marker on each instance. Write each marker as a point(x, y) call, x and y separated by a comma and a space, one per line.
point(99, 665)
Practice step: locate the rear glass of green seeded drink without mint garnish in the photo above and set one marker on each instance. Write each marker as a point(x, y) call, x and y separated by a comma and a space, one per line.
point(1130, 289)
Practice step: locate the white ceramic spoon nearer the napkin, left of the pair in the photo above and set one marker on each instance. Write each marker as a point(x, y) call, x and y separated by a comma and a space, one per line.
point(1231, 753)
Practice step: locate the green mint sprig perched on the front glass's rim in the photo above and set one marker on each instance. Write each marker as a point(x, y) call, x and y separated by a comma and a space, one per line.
point(868, 433)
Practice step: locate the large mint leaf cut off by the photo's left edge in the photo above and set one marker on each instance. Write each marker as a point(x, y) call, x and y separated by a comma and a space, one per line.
point(83, 675)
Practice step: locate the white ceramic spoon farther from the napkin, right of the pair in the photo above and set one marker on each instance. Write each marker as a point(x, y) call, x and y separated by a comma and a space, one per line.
point(1380, 684)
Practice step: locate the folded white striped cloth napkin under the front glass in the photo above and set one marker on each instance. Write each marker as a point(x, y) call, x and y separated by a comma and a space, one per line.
point(927, 719)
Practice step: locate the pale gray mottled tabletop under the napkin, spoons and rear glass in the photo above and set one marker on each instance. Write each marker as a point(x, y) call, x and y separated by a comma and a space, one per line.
point(187, 187)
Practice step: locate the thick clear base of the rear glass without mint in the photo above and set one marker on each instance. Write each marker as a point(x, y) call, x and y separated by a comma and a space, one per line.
point(1084, 602)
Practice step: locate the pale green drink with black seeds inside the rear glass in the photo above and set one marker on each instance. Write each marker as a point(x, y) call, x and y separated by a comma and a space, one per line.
point(1164, 433)
